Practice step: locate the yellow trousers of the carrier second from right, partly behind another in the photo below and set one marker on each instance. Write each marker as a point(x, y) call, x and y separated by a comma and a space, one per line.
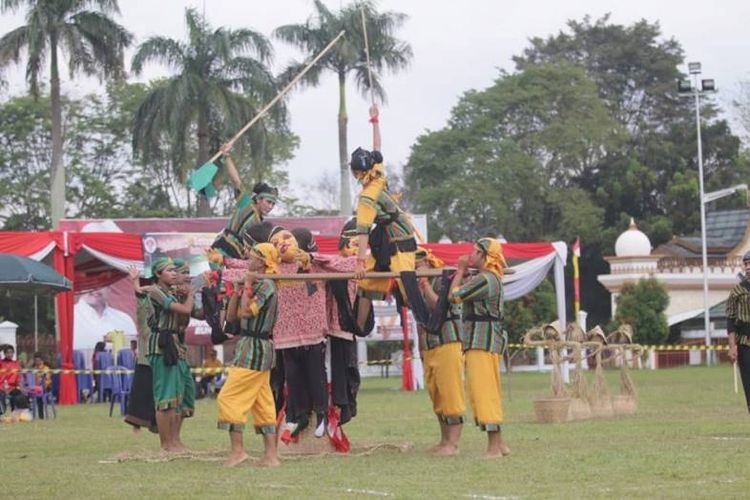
point(444, 378)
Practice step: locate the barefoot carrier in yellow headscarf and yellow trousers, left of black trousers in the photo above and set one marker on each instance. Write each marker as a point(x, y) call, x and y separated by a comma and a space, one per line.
point(247, 389)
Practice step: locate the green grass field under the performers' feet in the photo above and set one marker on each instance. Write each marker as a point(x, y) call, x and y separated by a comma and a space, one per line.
point(690, 438)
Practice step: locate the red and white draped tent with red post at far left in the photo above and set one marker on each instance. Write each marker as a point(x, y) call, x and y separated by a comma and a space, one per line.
point(89, 261)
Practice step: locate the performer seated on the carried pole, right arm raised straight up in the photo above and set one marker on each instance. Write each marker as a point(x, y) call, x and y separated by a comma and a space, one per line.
point(392, 243)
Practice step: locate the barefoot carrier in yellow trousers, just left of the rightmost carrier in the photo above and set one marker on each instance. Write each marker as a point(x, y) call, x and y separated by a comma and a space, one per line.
point(443, 362)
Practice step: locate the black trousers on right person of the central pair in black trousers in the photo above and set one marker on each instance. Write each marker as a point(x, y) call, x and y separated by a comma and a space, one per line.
point(344, 376)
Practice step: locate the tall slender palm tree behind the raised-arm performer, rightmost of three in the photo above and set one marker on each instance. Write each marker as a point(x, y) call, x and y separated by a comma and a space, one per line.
point(348, 57)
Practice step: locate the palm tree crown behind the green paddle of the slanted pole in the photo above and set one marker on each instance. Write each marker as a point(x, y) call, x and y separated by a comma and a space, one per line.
point(220, 77)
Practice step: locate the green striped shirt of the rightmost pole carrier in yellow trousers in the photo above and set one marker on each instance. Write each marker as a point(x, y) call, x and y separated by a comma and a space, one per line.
point(482, 296)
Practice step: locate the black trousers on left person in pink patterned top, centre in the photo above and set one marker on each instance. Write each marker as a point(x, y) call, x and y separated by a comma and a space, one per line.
point(305, 372)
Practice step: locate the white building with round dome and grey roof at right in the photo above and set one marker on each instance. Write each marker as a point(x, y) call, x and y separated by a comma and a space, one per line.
point(678, 266)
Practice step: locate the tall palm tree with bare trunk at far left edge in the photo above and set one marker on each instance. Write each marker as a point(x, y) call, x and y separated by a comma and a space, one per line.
point(94, 44)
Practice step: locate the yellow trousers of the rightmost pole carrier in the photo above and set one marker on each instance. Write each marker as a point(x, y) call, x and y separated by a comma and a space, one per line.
point(485, 391)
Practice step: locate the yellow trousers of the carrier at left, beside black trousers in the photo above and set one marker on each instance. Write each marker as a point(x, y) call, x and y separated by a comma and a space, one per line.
point(247, 391)
